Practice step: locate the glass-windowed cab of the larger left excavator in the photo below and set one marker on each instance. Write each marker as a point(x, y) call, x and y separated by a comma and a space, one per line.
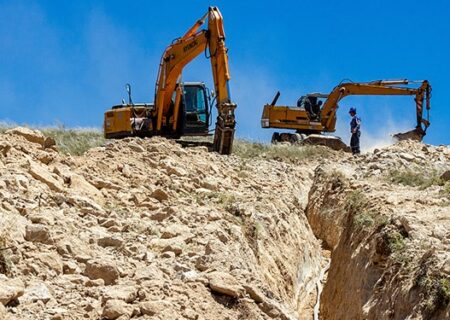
point(195, 106)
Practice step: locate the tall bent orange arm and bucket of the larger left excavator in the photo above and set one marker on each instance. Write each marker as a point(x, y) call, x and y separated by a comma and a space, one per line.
point(181, 52)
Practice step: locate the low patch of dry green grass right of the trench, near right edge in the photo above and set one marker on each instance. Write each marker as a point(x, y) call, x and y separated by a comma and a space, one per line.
point(415, 178)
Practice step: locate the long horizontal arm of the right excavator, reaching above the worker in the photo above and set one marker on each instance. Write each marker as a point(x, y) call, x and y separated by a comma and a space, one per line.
point(391, 87)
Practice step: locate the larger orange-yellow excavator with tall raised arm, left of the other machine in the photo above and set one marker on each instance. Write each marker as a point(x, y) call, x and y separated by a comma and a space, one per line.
point(183, 108)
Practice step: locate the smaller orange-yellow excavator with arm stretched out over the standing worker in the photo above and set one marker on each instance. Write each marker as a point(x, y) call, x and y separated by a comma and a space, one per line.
point(312, 116)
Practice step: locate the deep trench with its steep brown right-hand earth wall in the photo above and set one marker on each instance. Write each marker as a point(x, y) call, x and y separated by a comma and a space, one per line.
point(361, 276)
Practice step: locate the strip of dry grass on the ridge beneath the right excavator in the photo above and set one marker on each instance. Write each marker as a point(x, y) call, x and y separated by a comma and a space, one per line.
point(285, 152)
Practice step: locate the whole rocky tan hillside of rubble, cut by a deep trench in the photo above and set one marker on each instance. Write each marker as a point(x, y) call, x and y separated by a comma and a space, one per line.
point(147, 229)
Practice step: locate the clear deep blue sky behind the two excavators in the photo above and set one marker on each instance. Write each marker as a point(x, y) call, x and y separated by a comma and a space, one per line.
point(66, 62)
